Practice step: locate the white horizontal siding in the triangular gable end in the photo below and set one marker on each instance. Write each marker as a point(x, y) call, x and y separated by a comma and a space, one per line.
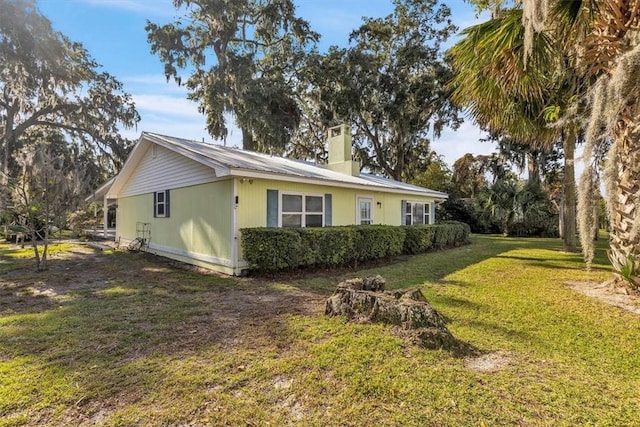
point(165, 170)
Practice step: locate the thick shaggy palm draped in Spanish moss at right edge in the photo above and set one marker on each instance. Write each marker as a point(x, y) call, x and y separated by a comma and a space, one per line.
point(606, 33)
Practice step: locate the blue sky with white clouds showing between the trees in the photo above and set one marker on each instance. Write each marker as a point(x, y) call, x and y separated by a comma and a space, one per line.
point(113, 32)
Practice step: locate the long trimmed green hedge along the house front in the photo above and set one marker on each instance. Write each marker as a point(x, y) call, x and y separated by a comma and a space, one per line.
point(274, 249)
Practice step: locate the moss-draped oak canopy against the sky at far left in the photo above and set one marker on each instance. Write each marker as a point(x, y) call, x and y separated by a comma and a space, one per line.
point(49, 82)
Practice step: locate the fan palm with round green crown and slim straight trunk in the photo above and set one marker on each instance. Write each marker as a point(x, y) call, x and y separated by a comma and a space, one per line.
point(509, 92)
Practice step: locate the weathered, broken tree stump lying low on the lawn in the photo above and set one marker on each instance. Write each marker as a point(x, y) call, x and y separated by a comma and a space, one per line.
point(365, 300)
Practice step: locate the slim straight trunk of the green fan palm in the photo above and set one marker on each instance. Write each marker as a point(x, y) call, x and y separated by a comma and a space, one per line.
point(569, 199)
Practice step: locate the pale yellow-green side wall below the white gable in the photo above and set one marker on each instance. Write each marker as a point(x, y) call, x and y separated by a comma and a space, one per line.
point(198, 230)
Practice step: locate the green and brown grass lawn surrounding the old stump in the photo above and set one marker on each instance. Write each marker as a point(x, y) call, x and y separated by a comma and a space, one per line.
point(130, 339)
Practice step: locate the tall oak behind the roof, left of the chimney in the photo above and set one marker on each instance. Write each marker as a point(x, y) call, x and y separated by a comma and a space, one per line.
point(241, 56)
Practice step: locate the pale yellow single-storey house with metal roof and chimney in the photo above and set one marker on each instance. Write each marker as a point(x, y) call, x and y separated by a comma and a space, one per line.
point(189, 200)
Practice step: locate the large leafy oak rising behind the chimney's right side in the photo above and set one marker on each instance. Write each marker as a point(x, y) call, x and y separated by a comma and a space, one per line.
point(390, 86)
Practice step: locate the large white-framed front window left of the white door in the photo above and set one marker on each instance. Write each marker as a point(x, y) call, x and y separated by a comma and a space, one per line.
point(302, 210)
